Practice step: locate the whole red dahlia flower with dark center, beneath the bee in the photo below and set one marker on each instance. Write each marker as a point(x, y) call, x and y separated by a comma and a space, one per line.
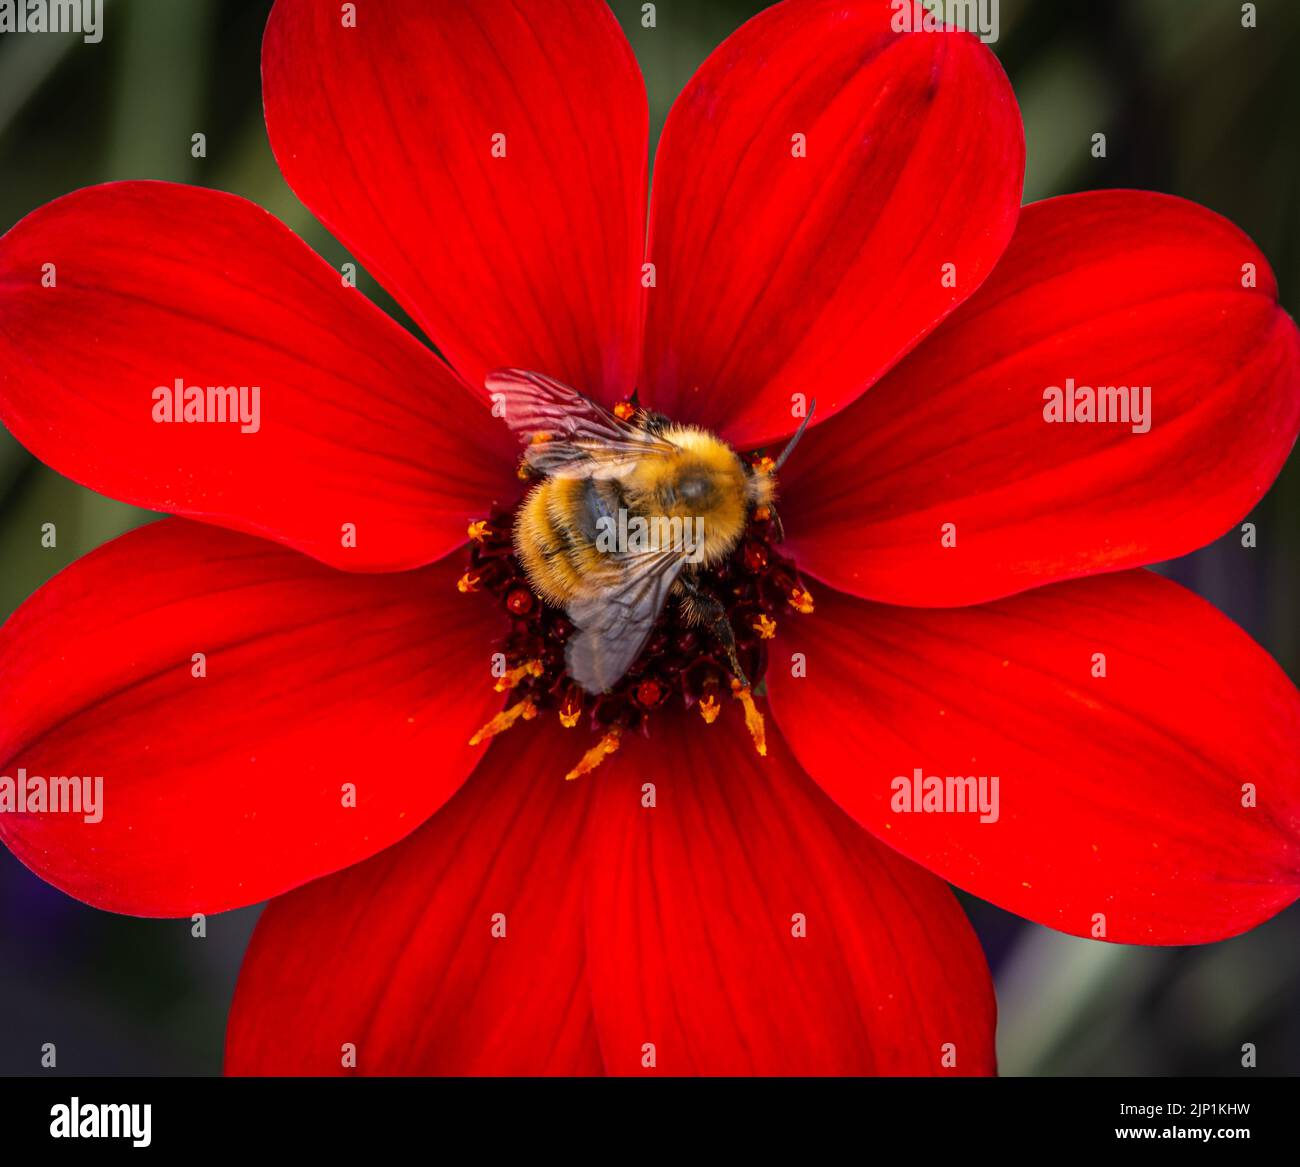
point(835, 210)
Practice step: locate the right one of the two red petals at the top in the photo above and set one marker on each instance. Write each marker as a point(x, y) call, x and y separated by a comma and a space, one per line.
point(782, 275)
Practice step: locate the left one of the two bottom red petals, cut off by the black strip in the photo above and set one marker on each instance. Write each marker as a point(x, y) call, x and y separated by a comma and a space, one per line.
point(398, 957)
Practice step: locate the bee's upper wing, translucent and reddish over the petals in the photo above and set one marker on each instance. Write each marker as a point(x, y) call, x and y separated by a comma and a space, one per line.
point(569, 435)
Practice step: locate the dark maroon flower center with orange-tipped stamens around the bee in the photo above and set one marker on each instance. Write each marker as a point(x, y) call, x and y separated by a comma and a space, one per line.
point(684, 662)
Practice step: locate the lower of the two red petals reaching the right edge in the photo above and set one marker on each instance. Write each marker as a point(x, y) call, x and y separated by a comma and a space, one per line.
point(1120, 796)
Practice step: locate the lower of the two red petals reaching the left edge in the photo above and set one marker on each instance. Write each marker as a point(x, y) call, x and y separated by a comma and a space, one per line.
point(224, 789)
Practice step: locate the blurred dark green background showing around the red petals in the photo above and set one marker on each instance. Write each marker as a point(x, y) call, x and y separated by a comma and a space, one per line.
point(1190, 102)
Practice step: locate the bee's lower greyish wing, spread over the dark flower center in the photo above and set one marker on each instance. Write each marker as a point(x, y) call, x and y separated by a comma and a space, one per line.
point(614, 618)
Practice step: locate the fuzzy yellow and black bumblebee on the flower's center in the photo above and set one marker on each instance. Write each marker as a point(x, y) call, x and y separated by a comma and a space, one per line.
point(629, 513)
